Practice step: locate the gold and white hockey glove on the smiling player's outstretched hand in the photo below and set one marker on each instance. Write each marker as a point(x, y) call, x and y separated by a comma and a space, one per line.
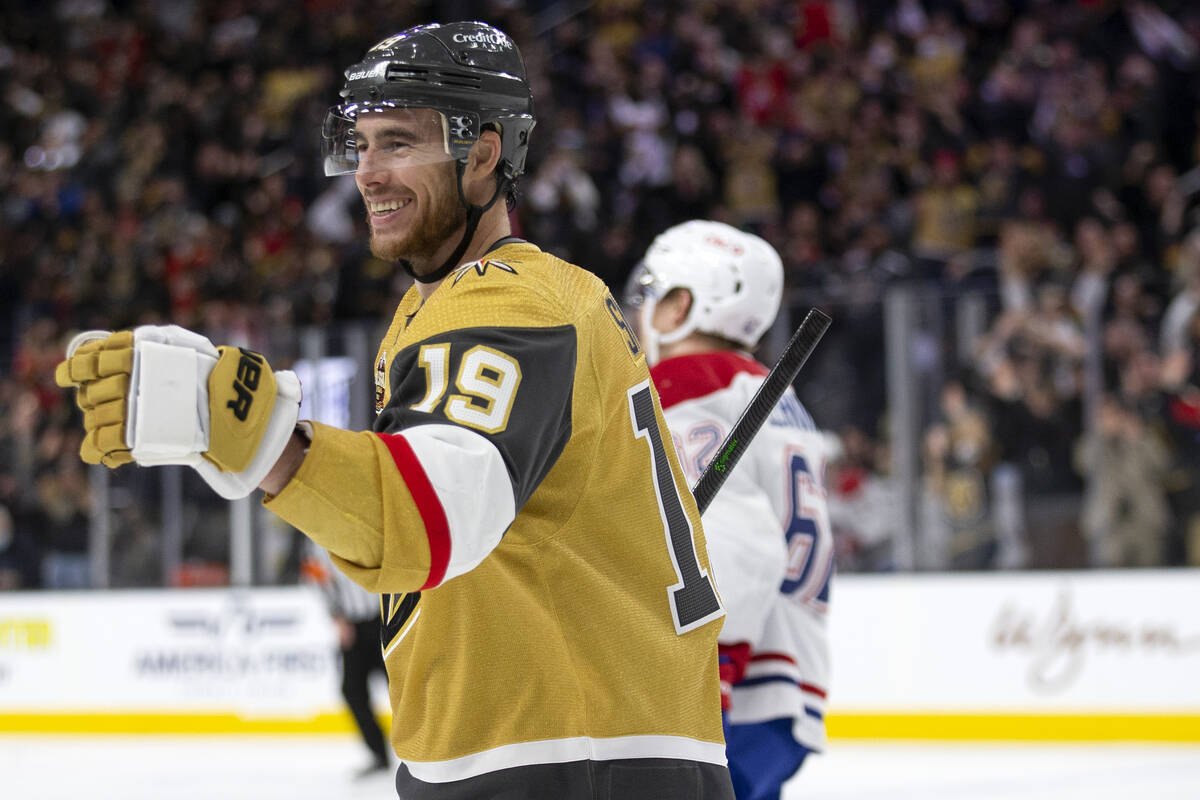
point(165, 395)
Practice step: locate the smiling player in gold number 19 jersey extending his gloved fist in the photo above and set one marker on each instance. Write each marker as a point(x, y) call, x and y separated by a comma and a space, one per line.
point(550, 622)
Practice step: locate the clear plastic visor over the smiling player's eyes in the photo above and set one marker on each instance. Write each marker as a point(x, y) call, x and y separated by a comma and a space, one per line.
point(387, 136)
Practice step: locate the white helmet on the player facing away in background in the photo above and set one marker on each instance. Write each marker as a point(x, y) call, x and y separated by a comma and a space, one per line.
point(736, 281)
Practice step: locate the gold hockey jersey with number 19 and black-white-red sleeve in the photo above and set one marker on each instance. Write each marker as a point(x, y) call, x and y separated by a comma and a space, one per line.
point(525, 518)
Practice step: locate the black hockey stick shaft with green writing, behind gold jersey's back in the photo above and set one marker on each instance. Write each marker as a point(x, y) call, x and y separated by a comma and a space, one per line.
point(781, 377)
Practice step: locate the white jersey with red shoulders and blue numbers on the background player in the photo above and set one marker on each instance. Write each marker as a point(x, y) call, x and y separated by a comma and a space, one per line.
point(769, 536)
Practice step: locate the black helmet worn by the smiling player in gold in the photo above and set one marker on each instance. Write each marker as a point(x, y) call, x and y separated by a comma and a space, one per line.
point(470, 73)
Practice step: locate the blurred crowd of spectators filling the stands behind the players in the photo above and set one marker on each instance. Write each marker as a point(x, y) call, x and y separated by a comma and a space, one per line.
point(160, 161)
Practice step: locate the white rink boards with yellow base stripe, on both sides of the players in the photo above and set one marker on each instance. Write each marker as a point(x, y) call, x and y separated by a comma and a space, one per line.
point(1070, 657)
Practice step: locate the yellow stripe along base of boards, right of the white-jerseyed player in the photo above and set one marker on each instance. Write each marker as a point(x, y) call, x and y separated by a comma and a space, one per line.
point(1017, 727)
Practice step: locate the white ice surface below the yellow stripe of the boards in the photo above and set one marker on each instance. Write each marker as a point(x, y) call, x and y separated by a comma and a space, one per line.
point(314, 768)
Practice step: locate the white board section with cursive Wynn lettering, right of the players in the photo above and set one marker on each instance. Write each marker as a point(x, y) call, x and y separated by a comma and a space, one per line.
point(1077, 657)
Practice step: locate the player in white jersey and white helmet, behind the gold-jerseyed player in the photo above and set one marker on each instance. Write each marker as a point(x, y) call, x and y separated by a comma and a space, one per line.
point(707, 293)
